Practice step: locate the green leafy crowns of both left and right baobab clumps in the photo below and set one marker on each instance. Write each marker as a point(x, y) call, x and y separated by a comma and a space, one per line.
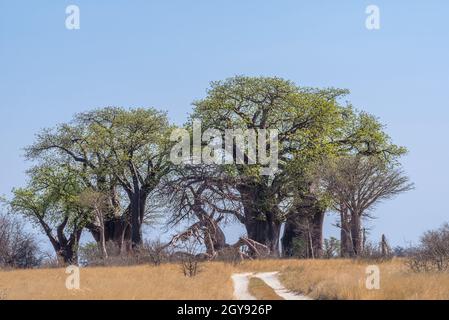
point(124, 154)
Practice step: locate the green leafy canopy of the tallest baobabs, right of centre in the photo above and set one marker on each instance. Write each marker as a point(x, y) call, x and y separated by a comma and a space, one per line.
point(313, 127)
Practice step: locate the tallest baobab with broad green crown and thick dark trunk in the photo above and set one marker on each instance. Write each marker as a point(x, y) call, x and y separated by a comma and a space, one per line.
point(304, 119)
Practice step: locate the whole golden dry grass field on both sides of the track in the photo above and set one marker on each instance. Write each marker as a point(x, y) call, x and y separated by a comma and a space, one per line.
point(318, 279)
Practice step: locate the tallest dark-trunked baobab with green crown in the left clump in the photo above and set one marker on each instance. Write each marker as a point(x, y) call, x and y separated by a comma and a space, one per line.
point(135, 147)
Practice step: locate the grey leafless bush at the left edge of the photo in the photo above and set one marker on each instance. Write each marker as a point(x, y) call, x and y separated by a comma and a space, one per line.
point(18, 249)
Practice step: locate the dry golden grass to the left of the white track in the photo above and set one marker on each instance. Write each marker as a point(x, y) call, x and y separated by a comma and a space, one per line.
point(119, 283)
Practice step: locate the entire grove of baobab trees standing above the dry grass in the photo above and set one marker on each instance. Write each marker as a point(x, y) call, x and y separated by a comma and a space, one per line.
point(108, 171)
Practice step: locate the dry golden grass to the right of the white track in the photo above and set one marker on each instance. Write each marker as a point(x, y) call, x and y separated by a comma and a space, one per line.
point(345, 279)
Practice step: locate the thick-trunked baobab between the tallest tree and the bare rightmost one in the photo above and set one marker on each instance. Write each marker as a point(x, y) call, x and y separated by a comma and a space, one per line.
point(354, 133)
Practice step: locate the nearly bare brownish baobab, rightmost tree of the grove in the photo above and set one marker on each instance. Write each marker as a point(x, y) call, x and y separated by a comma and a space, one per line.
point(356, 184)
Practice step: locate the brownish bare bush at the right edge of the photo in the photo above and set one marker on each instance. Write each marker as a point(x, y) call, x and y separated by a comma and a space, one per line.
point(432, 254)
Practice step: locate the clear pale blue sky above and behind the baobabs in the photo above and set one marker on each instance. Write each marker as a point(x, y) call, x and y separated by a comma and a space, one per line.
point(165, 53)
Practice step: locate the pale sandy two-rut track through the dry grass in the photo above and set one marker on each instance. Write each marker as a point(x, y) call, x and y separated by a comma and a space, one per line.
point(241, 281)
